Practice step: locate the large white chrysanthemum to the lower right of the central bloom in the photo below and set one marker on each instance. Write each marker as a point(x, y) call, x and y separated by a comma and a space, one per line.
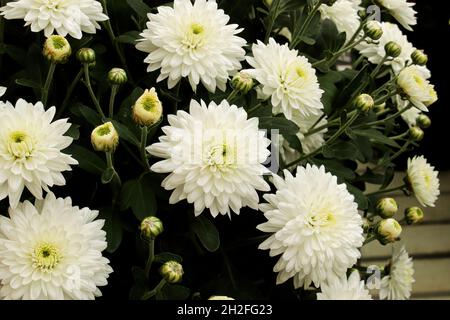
point(315, 226)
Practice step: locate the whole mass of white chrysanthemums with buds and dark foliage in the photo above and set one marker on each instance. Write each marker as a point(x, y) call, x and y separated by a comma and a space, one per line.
point(153, 149)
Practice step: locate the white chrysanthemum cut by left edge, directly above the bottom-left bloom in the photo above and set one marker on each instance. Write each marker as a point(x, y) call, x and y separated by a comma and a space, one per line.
point(30, 150)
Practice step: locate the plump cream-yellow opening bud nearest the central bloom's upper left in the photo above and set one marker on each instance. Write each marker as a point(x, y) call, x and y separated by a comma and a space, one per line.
point(148, 109)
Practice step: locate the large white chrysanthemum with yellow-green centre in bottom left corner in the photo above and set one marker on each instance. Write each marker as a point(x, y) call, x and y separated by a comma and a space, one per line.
point(52, 251)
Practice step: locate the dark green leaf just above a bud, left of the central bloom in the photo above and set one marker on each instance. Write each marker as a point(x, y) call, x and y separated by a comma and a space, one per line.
point(140, 197)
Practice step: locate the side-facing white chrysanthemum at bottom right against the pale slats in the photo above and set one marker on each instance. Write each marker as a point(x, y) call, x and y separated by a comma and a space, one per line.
point(397, 285)
